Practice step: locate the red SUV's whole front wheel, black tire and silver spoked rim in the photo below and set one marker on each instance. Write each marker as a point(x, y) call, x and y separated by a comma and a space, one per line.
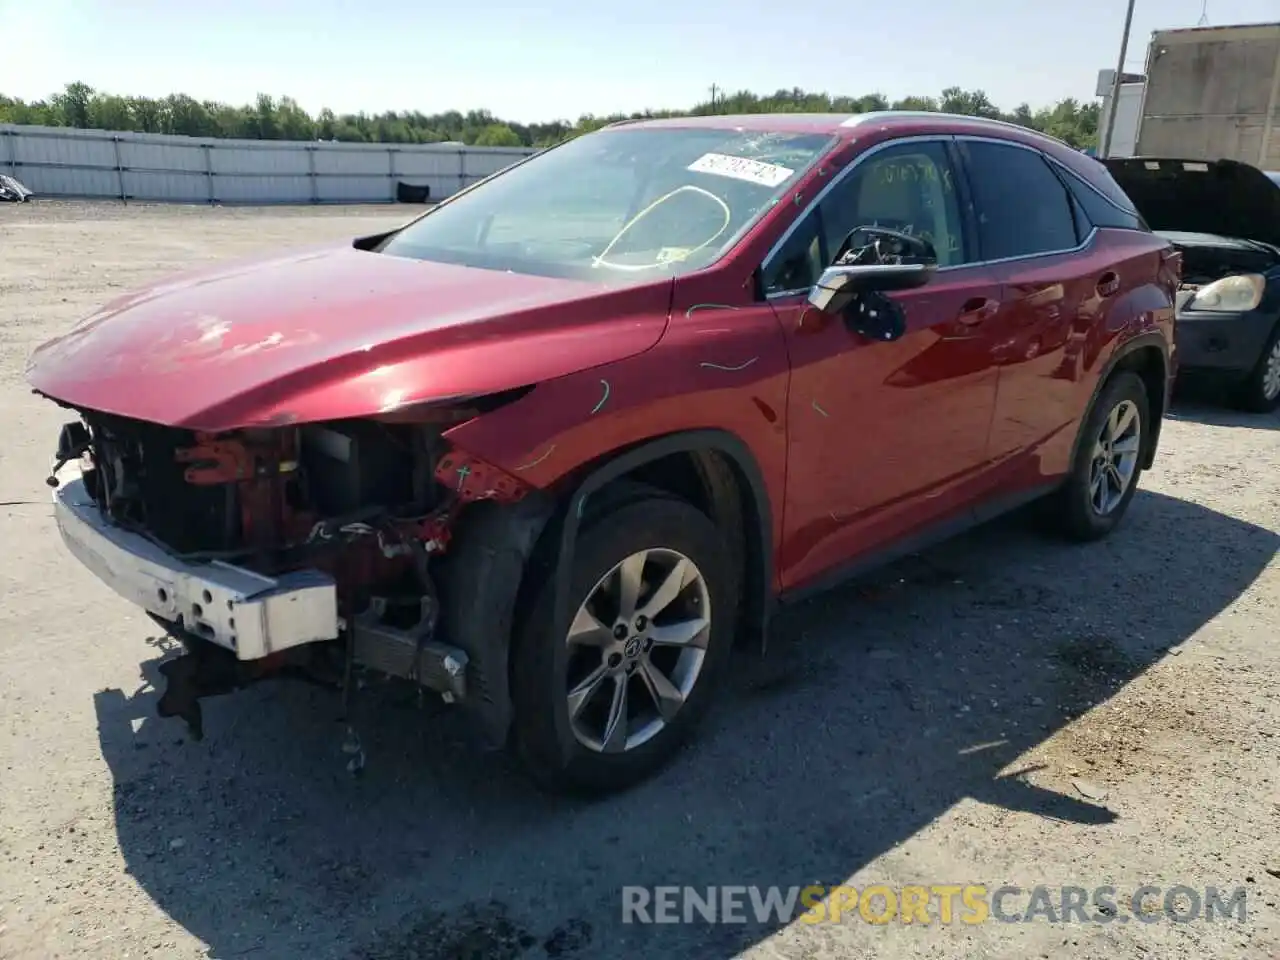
point(650, 632)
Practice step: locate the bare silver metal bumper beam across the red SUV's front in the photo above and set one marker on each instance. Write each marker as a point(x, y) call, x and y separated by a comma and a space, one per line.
point(241, 611)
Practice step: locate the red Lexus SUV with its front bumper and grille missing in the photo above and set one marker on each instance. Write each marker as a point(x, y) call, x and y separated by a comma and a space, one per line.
point(552, 447)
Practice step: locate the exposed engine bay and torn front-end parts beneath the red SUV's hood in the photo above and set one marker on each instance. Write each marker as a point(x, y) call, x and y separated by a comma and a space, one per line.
point(369, 504)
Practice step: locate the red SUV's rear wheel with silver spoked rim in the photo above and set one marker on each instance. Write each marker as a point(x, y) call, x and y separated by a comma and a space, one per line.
point(1078, 511)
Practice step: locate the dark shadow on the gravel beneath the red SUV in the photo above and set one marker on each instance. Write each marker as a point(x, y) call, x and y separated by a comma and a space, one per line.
point(877, 708)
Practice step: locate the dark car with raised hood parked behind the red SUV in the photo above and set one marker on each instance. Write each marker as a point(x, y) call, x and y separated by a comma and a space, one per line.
point(1224, 217)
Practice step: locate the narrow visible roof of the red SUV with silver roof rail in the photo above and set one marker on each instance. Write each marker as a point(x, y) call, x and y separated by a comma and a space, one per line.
point(842, 125)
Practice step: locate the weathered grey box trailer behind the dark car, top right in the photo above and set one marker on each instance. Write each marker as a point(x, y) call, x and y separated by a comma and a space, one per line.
point(1214, 93)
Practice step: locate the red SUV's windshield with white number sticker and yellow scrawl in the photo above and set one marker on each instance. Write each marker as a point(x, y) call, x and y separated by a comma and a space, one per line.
point(616, 207)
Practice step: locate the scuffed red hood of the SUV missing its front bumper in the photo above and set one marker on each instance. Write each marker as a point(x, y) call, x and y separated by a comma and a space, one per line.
point(337, 332)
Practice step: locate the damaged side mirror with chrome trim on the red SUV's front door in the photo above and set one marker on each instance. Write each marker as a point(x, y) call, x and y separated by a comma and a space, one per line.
point(872, 263)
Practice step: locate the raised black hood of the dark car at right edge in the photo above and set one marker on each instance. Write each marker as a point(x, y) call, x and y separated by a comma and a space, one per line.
point(1224, 198)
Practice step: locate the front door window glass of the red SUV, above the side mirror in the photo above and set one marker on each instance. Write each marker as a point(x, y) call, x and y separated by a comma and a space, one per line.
point(908, 189)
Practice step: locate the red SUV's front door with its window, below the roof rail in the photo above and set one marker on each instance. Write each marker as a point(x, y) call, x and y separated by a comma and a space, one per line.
point(885, 438)
